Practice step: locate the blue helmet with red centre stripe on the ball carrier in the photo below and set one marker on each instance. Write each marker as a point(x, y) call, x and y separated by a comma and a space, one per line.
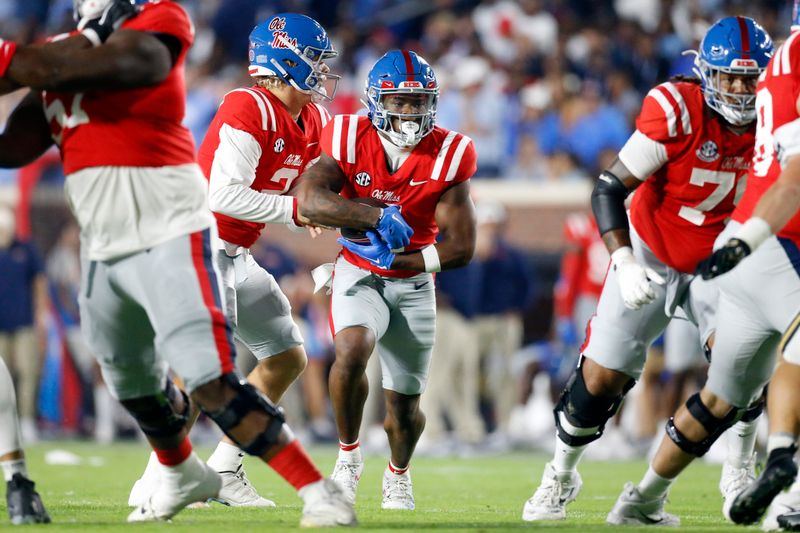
point(402, 72)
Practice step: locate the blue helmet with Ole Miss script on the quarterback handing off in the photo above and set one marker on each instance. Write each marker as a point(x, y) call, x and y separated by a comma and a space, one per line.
point(293, 48)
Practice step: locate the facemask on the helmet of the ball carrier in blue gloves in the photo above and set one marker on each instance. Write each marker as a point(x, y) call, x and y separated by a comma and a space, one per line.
point(412, 127)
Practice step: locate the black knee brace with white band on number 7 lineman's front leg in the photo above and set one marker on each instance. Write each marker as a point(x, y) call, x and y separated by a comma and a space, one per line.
point(580, 416)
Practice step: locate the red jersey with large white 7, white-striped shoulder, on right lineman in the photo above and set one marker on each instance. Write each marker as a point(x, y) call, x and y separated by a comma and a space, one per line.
point(680, 210)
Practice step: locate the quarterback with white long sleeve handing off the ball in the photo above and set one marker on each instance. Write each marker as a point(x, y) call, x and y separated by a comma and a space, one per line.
point(257, 144)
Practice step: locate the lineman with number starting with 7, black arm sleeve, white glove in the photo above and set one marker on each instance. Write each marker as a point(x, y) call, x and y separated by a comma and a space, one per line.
point(687, 160)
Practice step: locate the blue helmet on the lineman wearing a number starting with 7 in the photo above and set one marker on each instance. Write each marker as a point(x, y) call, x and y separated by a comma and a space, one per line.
point(738, 46)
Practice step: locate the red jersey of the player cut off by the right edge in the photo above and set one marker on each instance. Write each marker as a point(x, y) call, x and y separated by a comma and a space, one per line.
point(776, 96)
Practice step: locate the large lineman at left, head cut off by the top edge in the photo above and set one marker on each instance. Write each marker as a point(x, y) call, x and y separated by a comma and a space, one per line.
point(113, 102)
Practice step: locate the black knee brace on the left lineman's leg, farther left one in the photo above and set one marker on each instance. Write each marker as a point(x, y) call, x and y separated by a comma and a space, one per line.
point(158, 415)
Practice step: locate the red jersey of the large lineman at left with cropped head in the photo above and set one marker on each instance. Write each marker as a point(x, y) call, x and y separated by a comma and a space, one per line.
point(128, 128)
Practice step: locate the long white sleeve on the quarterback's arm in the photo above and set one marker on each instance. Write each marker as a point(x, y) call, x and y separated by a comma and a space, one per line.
point(232, 173)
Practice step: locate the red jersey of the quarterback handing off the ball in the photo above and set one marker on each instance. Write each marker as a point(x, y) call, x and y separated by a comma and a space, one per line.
point(283, 149)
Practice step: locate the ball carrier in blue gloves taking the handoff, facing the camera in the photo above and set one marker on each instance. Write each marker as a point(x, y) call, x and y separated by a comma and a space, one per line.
point(381, 295)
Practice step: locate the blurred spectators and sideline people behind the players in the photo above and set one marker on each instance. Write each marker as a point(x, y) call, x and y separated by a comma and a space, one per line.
point(548, 89)
